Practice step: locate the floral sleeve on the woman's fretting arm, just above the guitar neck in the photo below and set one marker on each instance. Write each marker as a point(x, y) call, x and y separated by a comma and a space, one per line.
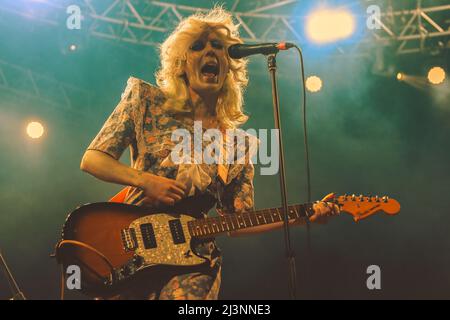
point(238, 196)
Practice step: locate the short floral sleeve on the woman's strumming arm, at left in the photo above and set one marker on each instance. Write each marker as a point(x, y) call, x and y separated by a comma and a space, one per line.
point(118, 132)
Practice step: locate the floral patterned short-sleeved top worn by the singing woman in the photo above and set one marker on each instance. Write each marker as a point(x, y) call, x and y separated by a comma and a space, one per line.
point(140, 122)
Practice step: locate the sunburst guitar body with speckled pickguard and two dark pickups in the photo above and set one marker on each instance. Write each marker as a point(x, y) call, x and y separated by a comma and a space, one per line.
point(114, 242)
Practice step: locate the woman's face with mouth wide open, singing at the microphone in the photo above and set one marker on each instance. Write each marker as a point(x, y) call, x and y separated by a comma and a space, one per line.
point(207, 64)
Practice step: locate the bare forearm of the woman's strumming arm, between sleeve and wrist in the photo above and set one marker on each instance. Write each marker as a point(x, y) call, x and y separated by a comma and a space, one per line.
point(106, 168)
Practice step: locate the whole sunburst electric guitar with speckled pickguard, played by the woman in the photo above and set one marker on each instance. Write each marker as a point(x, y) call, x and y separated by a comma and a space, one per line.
point(114, 242)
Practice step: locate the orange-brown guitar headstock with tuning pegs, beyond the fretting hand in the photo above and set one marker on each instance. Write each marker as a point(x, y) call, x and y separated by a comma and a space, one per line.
point(361, 207)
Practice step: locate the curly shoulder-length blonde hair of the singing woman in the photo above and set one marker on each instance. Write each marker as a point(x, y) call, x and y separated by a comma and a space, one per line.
point(171, 79)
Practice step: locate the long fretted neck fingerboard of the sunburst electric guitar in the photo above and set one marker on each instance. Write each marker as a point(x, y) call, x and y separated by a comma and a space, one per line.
point(212, 226)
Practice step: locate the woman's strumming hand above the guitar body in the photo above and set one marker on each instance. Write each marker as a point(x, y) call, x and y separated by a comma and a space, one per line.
point(160, 190)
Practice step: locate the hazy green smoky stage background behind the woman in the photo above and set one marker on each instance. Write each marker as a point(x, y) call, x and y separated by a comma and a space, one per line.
point(368, 134)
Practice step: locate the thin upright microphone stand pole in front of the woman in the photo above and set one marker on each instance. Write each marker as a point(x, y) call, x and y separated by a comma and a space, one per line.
point(290, 256)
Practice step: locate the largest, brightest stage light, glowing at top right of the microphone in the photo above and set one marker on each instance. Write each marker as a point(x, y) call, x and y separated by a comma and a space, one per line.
point(329, 25)
